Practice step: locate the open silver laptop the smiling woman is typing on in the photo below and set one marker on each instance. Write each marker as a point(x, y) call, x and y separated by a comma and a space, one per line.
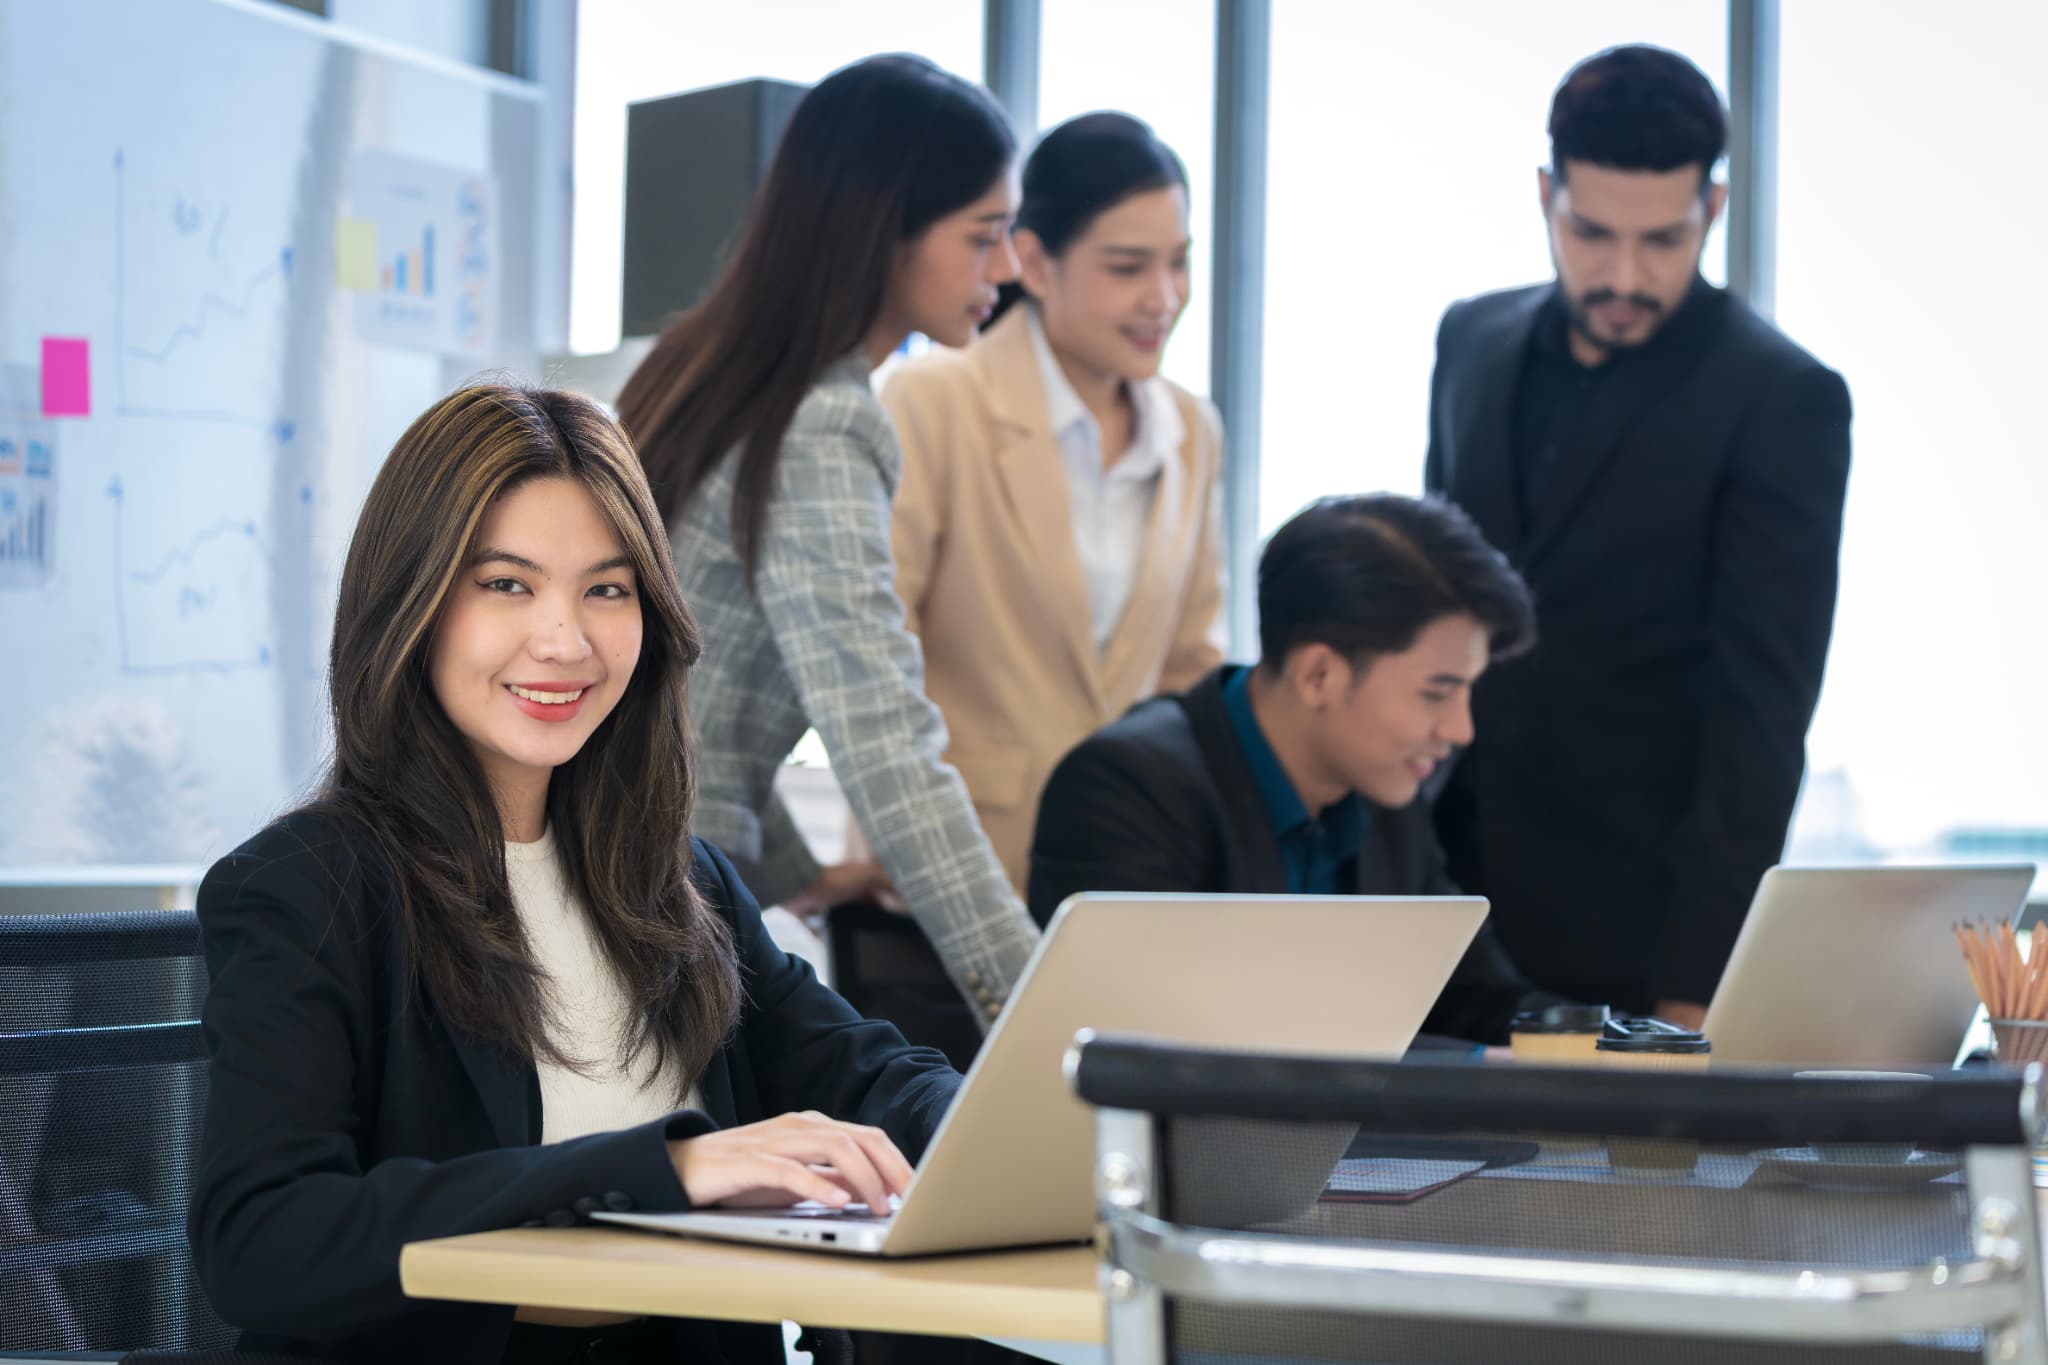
point(1011, 1161)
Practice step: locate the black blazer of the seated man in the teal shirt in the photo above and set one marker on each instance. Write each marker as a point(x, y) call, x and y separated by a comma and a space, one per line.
point(1164, 801)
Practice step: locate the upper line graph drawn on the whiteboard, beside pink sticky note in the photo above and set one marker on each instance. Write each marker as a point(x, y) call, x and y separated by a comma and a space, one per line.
point(181, 367)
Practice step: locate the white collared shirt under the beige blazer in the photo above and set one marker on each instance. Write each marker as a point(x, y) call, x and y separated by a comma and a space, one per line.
point(1111, 507)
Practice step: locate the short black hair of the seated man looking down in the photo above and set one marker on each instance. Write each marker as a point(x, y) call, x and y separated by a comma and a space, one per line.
point(1369, 574)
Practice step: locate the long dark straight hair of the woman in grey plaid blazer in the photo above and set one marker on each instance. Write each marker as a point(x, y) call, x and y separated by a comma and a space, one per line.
point(871, 159)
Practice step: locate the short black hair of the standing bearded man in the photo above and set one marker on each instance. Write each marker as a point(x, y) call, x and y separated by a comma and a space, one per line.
point(1637, 109)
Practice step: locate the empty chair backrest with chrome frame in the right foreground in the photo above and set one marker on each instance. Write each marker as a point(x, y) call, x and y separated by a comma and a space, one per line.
point(1553, 1215)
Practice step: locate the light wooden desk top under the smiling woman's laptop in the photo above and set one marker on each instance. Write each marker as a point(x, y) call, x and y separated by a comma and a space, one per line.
point(1046, 1294)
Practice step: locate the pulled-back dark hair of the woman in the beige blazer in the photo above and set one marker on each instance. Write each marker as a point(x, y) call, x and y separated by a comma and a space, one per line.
point(1078, 173)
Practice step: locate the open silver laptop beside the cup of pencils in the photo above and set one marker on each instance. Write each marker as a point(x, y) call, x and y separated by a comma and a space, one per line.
point(1857, 967)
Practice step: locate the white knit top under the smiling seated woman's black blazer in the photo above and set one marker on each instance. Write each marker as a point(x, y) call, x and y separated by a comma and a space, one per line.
point(591, 1018)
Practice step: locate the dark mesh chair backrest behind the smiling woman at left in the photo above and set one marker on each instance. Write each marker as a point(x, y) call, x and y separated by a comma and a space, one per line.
point(101, 1096)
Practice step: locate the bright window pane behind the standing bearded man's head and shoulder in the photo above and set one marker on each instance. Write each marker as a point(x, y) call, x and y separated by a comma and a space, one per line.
point(1406, 140)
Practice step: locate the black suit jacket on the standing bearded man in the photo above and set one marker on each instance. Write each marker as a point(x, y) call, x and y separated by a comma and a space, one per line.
point(1635, 775)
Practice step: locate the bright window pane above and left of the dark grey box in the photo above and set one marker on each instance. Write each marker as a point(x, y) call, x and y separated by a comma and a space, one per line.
point(636, 50)
